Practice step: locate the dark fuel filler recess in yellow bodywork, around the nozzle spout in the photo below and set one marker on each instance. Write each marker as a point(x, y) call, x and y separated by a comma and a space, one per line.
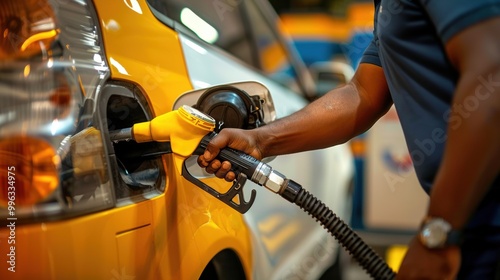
point(138, 172)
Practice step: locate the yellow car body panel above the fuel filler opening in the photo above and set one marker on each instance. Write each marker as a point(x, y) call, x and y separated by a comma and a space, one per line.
point(142, 50)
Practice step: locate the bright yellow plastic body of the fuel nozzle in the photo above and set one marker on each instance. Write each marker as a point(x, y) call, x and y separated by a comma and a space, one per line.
point(183, 128)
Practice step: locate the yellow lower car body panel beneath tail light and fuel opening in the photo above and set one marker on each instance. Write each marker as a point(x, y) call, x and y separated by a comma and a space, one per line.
point(109, 243)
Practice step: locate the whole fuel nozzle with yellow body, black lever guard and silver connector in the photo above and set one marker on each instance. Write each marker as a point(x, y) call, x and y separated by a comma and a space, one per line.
point(189, 131)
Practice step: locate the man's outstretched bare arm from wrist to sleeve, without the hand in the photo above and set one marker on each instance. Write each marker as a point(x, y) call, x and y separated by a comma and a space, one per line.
point(332, 119)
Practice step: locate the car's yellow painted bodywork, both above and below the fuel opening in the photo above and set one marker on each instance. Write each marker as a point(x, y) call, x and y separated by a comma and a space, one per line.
point(178, 223)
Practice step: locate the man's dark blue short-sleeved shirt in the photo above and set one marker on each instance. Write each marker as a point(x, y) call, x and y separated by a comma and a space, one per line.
point(408, 43)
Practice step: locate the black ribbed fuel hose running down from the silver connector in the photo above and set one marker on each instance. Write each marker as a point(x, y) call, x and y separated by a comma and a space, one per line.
point(368, 259)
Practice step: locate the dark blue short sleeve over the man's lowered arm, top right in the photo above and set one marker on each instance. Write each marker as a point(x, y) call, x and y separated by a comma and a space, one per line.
point(452, 16)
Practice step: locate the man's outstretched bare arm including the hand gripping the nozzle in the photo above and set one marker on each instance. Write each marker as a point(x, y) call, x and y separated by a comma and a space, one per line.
point(332, 119)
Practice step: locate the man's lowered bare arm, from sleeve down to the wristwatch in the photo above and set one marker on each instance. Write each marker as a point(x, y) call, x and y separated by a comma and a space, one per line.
point(471, 157)
